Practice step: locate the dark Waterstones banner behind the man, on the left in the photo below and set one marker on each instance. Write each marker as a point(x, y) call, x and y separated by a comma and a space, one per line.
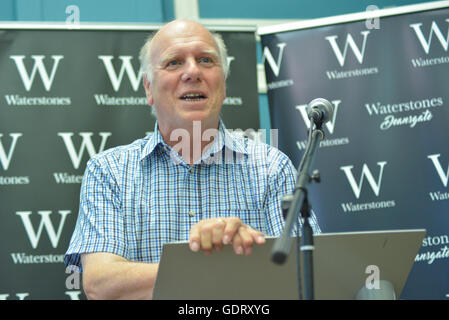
point(65, 95)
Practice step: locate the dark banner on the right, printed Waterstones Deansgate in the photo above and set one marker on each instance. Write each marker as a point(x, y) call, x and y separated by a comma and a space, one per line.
point(384, 163)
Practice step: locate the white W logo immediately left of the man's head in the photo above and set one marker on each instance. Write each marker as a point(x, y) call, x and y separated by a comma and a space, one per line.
point(127, 67)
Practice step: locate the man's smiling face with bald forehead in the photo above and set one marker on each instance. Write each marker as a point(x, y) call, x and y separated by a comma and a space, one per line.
point(188, 82)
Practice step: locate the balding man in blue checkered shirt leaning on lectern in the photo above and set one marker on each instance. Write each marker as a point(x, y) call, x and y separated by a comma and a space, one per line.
point(135, 198)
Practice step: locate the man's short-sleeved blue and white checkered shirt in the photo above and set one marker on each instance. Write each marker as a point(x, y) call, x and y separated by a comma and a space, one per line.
point(136, 198)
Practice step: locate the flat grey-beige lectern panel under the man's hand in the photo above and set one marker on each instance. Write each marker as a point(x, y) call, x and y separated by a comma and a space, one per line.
point(342, 264)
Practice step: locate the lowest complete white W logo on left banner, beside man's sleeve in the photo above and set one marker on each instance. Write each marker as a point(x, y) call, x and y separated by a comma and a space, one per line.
point(44, 223)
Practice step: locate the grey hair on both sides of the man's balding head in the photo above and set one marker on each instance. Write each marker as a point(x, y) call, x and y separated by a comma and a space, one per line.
point(146, 63)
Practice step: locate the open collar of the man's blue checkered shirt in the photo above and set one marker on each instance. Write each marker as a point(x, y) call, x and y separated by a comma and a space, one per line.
point(225, 139)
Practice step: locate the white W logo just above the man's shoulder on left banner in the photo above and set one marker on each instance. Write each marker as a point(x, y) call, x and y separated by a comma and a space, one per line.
point(86, 144)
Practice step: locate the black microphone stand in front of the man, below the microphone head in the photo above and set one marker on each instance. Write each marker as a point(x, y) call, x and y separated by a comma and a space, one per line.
point(300, 203)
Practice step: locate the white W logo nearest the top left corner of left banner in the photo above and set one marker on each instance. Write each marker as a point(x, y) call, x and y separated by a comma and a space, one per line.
point(37, 67)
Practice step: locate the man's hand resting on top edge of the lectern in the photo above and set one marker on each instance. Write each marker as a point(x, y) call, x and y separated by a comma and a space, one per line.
point(216, 232)
